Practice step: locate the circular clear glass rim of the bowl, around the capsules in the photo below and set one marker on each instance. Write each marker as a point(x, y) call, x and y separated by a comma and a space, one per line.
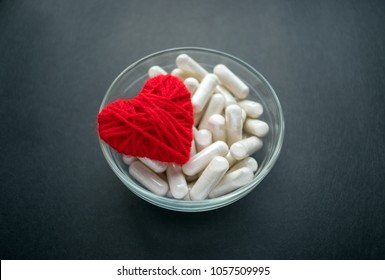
point(187, 205)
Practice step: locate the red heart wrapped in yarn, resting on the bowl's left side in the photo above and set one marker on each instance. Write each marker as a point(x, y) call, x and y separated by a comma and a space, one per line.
point(156, 124)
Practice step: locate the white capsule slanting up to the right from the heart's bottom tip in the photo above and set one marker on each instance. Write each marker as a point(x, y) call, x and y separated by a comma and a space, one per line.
point(198, 162)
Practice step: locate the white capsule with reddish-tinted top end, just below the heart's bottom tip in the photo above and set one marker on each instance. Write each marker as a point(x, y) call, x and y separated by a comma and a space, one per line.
point(176, 181)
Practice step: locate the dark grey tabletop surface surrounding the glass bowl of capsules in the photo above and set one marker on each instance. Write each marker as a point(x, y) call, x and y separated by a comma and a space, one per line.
point(325, 197)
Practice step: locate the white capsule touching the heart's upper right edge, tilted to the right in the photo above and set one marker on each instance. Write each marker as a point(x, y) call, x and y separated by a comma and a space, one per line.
point(204, 92)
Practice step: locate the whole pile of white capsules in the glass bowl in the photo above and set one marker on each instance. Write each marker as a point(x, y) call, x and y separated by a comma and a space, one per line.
point(227, 132)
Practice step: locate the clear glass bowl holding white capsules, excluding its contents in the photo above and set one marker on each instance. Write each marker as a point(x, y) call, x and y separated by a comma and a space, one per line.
point(131, 80)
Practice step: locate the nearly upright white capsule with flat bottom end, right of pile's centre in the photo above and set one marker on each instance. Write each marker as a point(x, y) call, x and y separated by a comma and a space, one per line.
point(233, 115)
